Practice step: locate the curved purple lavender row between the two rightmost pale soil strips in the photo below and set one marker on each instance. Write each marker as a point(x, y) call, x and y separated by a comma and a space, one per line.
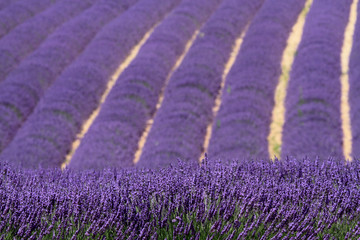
point(312, 118)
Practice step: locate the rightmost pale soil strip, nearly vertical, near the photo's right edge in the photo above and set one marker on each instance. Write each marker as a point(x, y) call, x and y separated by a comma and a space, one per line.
point(345, 57)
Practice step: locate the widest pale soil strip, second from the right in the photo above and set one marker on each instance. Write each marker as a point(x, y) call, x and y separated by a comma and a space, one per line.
point(278, 113)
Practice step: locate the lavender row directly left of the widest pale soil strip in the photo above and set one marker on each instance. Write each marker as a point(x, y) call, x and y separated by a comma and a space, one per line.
point(241, 126)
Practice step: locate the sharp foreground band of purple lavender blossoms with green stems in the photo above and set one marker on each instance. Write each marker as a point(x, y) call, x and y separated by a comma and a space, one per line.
point(288, 199)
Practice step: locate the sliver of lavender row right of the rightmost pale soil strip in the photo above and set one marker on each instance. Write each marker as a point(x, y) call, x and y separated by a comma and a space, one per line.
point(354, 88)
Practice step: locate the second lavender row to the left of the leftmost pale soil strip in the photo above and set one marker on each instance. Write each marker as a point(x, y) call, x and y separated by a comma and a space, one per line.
point(27, 83)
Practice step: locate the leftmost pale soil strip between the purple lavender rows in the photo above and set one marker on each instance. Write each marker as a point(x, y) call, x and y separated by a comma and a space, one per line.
point(109, 86)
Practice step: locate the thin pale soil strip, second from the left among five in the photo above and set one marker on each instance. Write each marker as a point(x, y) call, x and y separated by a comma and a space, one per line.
point(150, 122)
